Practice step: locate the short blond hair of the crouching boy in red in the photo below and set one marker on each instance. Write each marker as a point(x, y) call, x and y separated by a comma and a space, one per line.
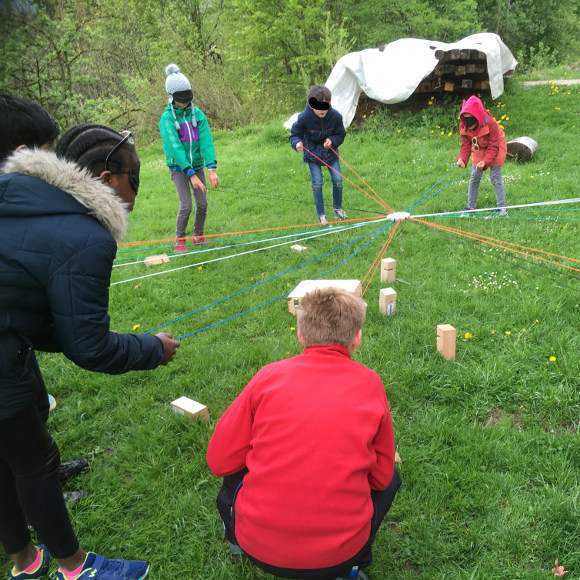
point(330, 316)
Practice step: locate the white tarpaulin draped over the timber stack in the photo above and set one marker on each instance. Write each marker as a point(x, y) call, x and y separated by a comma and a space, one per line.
point(392, 75)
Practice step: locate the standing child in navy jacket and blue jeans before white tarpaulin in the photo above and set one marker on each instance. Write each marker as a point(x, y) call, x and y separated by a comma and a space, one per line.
point(316, 133)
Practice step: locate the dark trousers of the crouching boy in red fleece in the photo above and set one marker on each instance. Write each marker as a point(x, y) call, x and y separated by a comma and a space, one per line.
point(382, 501)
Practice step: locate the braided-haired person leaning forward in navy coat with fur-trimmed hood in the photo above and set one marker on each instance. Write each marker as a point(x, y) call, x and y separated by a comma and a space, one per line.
point(59, 219)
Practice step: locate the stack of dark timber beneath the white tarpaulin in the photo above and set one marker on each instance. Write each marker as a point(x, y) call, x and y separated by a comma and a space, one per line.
point(457, 71)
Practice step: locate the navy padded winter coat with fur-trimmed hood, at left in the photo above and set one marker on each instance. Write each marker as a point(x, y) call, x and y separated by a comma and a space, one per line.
point(57, 245)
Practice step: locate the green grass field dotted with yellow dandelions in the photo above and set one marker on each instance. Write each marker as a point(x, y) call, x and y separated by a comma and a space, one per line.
point(489, 442)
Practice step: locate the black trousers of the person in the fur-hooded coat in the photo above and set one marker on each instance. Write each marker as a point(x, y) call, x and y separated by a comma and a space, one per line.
point(29, 482)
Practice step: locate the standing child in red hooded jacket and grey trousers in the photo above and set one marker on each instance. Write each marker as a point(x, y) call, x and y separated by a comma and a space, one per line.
point(483, 137)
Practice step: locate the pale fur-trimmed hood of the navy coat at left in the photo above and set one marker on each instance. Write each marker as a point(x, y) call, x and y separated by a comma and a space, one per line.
point(98, 200)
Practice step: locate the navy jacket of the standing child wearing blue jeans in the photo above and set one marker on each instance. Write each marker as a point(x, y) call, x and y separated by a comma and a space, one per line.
point(313, 131)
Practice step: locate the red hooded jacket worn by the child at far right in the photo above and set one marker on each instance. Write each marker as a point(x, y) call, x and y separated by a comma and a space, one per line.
point(491, 145)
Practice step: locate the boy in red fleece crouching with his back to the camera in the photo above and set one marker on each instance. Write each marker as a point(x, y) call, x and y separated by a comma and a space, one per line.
point(307, 452)
